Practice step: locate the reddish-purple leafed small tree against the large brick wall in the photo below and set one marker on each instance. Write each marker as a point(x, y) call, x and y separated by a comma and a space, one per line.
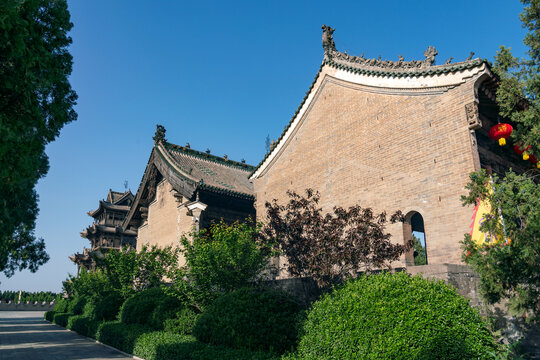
point(329, 247)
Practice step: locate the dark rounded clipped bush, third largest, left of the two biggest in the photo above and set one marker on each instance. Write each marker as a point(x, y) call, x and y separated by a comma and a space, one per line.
point(138, 308)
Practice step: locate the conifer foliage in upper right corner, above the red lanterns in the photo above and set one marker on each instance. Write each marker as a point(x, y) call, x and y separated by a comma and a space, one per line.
point(519, 87)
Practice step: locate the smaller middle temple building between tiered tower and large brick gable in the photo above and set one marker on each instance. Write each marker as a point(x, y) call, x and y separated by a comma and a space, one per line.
point(183, 190)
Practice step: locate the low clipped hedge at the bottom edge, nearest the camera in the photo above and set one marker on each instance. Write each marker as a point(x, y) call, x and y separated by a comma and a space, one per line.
point(160, 345)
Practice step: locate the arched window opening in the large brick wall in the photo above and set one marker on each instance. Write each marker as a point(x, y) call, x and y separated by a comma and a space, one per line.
point(413, 229)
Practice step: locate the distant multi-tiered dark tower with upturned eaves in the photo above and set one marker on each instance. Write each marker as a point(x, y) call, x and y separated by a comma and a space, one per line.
point(106, 232)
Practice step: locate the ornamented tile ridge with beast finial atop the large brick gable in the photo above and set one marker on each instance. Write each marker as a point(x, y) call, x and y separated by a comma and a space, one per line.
point(400, 68)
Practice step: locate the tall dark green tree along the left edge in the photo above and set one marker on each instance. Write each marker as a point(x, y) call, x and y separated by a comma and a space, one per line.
point(36, 100)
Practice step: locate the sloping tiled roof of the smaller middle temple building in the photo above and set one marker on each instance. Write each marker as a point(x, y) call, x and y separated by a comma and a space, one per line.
point(211, 172)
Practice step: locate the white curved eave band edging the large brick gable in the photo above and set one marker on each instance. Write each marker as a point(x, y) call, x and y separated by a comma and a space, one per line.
point(330, 66)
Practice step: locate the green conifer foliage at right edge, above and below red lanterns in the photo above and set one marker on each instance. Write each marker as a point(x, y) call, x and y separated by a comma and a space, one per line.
point(511, 269)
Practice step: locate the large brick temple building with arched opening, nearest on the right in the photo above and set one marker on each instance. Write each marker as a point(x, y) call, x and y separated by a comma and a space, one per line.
point(392, 135)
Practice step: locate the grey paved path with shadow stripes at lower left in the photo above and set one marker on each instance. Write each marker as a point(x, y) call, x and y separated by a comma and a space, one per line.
point(24, 335)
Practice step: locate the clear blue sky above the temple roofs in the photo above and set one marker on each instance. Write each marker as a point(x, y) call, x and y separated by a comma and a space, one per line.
point(220, 75)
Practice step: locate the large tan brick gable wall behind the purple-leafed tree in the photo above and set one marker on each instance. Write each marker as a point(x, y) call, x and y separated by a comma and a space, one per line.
point(389, 150)
